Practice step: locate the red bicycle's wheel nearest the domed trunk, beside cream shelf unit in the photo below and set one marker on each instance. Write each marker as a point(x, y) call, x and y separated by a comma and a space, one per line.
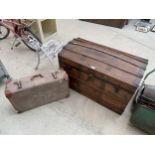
point(30, 39)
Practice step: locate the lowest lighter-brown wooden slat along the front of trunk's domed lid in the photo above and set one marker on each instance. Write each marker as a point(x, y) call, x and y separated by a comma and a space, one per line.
point(114, 74)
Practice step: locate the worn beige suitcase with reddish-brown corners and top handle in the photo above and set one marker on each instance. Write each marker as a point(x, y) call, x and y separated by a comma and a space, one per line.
point(37, 90)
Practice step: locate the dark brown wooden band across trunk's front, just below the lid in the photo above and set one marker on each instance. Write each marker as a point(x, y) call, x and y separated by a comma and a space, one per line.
point(97, 83)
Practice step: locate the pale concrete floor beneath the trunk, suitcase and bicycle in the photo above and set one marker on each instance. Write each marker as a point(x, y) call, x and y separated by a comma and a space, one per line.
point(76, 114)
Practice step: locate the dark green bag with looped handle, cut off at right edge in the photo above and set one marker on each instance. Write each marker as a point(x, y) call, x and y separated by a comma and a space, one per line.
point(143, 115)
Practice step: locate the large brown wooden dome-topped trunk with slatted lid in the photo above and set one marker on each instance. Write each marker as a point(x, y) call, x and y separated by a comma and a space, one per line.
point(106, 75)
